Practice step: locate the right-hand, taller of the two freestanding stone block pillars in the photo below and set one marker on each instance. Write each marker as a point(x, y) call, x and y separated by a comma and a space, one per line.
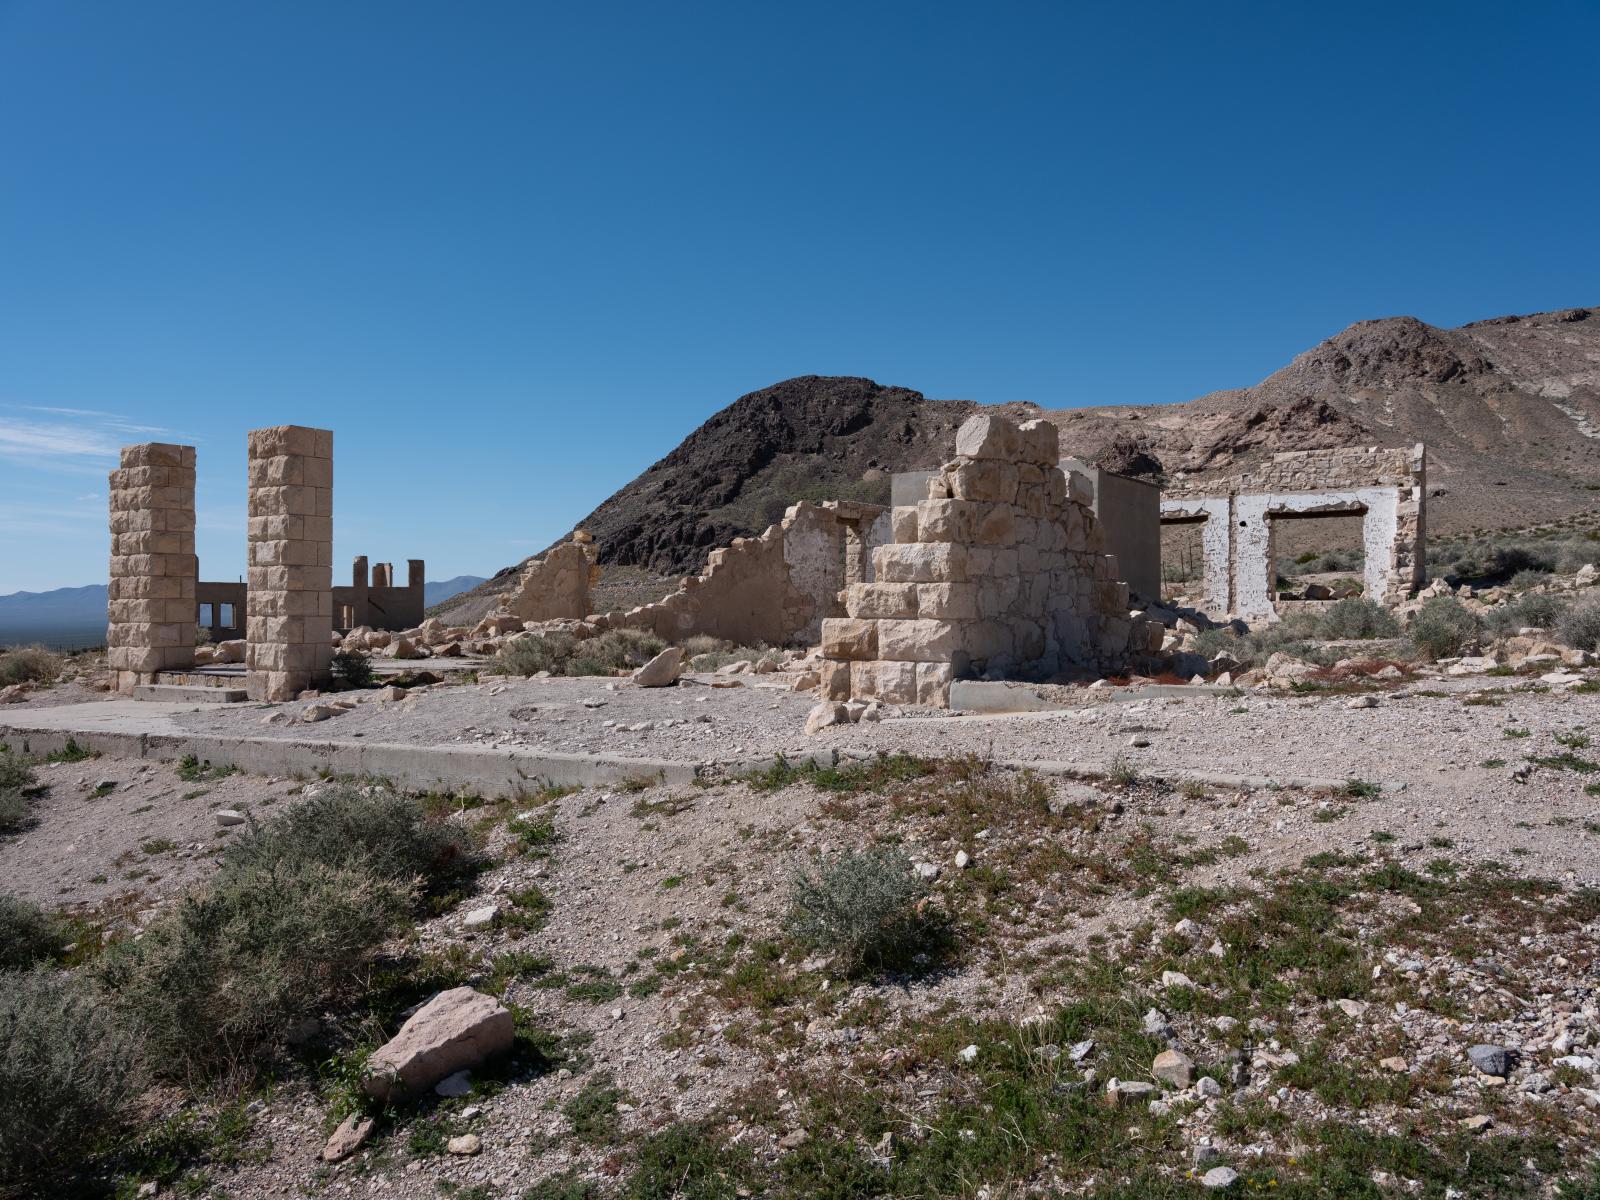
point(290, 639)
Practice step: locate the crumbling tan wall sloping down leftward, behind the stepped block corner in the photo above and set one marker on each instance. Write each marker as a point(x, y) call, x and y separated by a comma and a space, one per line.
point(778, 588)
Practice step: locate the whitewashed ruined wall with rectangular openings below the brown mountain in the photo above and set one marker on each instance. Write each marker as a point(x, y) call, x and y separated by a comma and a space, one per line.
point(1386, 487)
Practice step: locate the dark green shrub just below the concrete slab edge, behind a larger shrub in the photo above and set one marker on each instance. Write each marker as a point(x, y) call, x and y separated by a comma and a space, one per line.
point(362, 826)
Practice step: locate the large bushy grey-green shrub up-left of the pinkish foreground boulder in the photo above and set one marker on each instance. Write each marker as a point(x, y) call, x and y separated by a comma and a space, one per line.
point(217, 983)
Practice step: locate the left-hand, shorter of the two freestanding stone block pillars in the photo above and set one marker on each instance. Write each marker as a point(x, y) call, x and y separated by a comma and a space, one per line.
point(153, 564)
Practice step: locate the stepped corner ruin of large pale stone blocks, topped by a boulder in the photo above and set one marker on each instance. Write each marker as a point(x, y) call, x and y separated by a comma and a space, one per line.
point(1001, 572)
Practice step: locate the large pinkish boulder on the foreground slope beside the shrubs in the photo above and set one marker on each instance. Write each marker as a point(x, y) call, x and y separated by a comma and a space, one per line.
point(454, 1031)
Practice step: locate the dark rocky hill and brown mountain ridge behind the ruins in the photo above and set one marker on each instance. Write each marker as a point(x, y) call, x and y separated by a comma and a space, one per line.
point(1510, 410)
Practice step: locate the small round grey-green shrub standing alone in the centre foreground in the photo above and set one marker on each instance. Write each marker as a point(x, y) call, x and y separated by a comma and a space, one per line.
point(860, 906)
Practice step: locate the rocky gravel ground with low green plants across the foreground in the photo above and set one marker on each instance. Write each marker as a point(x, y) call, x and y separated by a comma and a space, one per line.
point(1127, 983)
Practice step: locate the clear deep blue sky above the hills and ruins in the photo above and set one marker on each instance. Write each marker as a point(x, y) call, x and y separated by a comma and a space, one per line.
point(514, 252)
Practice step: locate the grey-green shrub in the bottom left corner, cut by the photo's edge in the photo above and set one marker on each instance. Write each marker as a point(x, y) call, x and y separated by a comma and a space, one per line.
point(66, 1073)
